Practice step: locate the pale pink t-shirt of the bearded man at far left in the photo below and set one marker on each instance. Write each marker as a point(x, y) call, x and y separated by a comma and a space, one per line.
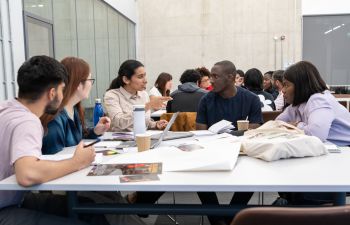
point(21, 135)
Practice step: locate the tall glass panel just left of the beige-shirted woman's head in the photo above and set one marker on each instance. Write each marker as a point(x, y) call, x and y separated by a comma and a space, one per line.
point(101, 40)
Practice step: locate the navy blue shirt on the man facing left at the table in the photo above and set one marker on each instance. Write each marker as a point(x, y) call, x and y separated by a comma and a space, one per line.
point(213, 108)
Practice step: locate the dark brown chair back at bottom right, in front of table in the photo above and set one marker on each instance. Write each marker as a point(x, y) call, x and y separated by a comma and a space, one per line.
point(339, 215)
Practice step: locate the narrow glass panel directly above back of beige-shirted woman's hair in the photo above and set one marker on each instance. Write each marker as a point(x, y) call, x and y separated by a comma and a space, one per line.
point(113, 42)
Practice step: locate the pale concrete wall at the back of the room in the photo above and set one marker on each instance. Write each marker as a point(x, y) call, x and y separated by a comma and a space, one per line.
point(177, 35)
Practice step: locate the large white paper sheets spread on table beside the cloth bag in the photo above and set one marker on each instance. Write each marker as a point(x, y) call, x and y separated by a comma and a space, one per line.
point(192, 156)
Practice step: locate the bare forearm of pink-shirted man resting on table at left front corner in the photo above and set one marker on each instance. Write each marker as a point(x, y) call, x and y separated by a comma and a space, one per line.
point(30, 170)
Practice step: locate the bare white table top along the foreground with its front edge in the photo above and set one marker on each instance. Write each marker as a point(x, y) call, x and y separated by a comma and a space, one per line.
point(328, 173)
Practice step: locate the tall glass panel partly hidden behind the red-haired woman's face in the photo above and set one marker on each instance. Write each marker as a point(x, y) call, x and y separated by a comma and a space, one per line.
point(86, 39)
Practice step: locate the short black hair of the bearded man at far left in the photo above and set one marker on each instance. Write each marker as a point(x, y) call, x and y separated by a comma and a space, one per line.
point(37, 75)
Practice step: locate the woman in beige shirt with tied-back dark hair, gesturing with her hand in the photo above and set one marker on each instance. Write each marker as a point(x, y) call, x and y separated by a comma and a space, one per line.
point(126, 90)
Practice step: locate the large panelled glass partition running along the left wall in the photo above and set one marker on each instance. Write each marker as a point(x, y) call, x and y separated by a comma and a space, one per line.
point(91, 30)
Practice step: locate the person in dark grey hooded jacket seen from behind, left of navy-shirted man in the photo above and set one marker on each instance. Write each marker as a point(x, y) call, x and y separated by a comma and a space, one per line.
point(188, 94)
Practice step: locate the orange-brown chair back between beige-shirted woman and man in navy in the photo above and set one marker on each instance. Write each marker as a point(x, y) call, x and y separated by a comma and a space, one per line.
point(185, 121)
